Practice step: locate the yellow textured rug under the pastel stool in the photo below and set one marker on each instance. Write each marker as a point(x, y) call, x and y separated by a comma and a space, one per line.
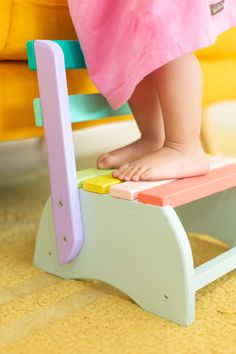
point(40, 313)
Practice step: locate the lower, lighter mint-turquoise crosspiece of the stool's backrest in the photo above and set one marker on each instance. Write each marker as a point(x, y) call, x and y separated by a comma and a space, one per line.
point(85, 107)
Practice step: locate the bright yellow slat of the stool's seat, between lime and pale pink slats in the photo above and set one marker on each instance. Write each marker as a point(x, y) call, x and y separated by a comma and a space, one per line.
point(100, 185)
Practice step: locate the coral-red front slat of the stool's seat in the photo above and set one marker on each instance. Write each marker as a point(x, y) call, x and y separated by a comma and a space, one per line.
point(187, 190)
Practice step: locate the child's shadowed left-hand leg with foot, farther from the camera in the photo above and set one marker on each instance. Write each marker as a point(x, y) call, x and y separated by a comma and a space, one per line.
point(146, 108)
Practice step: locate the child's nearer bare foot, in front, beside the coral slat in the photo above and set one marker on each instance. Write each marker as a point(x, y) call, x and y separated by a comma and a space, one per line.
point(169, 162)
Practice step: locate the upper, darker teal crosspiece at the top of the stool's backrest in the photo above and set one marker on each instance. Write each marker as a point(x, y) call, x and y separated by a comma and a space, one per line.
point(73, 55)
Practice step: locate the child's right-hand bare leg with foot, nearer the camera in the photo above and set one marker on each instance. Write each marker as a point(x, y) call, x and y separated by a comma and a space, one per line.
point(180, 91)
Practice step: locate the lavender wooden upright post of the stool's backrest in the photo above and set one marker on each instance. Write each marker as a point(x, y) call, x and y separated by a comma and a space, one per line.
point(61, 161)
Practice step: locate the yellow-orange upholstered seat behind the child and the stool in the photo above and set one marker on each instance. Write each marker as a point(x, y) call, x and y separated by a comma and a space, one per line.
point(23, 20)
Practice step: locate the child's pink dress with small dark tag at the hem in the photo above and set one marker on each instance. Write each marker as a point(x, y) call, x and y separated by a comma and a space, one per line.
point(125, 40)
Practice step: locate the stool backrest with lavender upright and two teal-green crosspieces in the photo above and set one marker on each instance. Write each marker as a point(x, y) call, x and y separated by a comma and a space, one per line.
point(56, 110)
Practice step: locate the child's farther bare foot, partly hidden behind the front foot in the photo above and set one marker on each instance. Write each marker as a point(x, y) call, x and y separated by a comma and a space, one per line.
point(128, 153)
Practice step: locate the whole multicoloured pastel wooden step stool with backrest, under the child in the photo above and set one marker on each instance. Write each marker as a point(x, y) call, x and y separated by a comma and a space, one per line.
point(132, 235)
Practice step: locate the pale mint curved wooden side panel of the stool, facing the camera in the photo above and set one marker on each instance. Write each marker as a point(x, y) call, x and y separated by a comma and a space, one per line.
point(140, 249)
